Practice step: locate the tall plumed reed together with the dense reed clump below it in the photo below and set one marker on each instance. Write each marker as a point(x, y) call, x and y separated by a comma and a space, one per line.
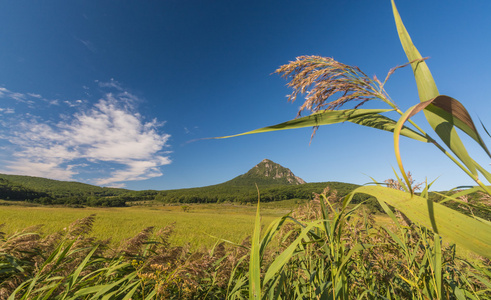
point(335, 256)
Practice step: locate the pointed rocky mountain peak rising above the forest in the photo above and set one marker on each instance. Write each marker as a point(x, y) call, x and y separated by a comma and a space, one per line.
point(266, 172)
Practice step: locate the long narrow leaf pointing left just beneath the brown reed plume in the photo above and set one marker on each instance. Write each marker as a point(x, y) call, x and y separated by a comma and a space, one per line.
point(366, 117)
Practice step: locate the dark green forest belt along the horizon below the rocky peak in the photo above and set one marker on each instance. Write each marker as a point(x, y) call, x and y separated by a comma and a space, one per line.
point(74, 194)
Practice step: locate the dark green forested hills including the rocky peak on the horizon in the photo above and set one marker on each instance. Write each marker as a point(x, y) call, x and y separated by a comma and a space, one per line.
point(275, 183)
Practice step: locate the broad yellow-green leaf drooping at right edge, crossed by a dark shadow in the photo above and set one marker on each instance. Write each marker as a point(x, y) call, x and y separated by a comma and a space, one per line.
point(459, 228)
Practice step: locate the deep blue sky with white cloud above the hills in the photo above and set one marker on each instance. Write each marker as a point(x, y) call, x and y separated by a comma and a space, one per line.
point(122, 93)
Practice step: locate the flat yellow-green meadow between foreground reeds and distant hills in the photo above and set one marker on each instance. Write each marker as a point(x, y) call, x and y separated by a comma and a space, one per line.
point(196, 227)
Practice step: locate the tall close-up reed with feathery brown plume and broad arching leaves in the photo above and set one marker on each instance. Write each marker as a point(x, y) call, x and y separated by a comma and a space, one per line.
point(329, 86)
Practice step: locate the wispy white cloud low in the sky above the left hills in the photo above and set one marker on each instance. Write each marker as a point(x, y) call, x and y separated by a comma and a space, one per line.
point(76, 146)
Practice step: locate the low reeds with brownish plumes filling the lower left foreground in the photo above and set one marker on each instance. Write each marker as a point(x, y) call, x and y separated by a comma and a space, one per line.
point(73, 265)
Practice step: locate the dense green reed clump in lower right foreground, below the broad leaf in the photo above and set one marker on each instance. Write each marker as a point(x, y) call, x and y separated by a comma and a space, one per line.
point(332, 249)
